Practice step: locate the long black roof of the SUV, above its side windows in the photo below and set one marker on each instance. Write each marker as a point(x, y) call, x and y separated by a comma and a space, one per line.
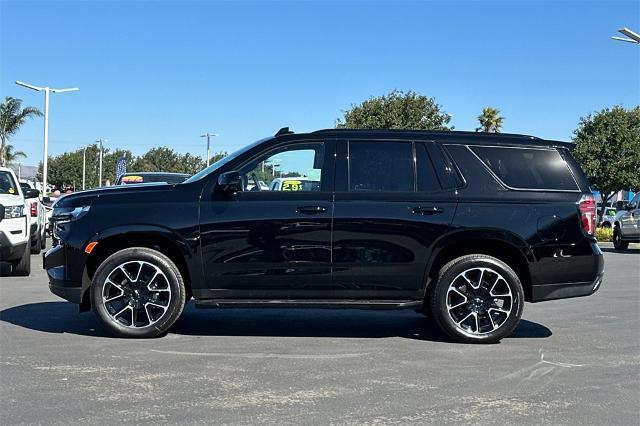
point(445, 136)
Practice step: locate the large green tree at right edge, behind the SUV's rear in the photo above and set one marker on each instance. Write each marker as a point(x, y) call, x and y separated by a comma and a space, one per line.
point(608, 149)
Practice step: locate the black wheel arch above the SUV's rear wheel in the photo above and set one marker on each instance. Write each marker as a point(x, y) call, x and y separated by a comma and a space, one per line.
point(503, 245)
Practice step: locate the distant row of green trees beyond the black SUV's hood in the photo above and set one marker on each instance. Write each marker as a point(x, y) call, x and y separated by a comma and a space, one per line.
point(65, 170)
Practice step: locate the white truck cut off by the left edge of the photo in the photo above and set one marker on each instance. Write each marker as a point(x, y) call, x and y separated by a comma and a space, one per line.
point(15, 223)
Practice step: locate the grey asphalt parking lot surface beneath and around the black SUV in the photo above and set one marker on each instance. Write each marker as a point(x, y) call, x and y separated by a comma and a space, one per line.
point(573, 361)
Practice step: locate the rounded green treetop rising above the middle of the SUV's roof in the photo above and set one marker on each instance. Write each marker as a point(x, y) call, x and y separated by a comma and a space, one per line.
point(397, 110)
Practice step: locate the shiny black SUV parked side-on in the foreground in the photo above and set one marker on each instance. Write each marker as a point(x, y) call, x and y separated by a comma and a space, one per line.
point(463, 227)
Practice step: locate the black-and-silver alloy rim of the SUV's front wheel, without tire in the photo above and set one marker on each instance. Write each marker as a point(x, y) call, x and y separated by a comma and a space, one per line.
point(136, 294)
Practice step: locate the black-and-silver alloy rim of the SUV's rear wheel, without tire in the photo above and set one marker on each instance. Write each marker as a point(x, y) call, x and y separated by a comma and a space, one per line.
point(479, 301)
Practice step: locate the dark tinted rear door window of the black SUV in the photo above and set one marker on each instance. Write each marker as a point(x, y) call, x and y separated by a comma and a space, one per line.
point(381, 166)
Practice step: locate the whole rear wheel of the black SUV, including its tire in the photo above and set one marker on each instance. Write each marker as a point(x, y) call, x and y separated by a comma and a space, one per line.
point(486, 311)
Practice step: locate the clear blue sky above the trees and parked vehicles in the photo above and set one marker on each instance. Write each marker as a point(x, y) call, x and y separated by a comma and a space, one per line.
point(162, 73)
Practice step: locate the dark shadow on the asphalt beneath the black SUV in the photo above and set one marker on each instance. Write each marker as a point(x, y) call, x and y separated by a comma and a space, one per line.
point(63, 317)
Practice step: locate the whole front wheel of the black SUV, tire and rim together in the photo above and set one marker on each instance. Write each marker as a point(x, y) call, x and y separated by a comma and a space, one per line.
point(137, 292)
